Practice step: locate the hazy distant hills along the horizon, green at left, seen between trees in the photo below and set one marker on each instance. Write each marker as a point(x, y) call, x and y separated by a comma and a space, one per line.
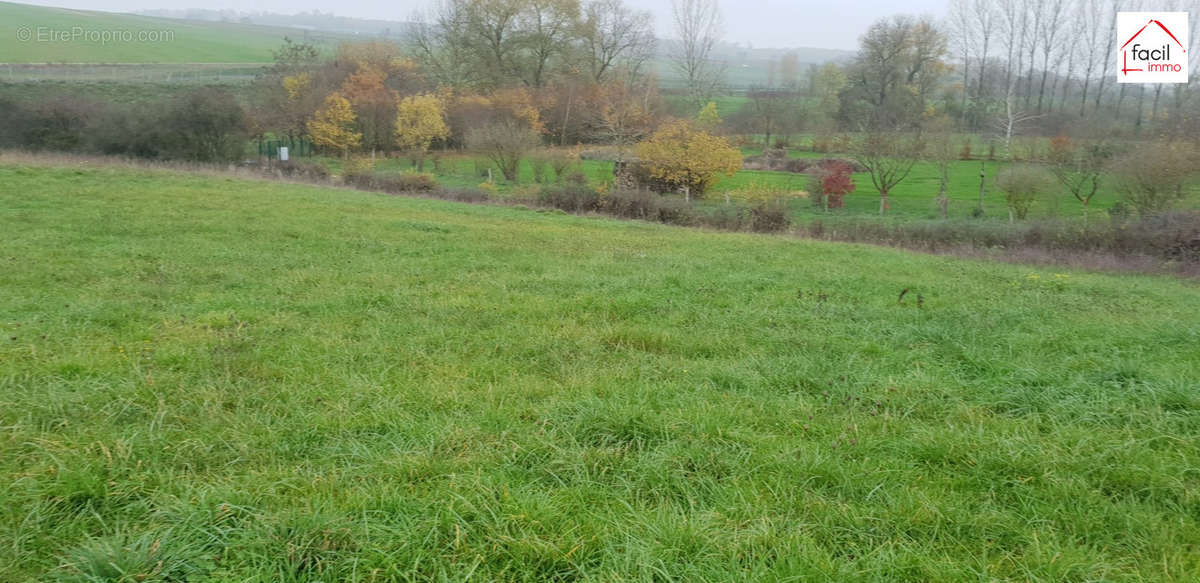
point(202, 37)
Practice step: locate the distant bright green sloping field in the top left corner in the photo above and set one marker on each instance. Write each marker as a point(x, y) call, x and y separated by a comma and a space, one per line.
point(32, 34)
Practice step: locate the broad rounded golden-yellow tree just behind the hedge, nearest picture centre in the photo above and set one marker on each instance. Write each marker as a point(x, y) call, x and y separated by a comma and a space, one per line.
point(688, 159)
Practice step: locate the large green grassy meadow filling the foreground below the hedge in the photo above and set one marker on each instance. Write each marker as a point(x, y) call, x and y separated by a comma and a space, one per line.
point(203, 377)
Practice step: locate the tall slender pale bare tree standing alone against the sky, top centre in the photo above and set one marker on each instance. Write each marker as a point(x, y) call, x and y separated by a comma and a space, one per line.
point(699, 27)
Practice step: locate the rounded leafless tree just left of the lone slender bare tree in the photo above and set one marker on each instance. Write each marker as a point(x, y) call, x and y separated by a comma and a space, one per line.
point(616, 37)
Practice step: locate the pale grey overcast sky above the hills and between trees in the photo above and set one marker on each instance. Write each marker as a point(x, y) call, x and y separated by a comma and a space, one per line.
point(763, 23)
